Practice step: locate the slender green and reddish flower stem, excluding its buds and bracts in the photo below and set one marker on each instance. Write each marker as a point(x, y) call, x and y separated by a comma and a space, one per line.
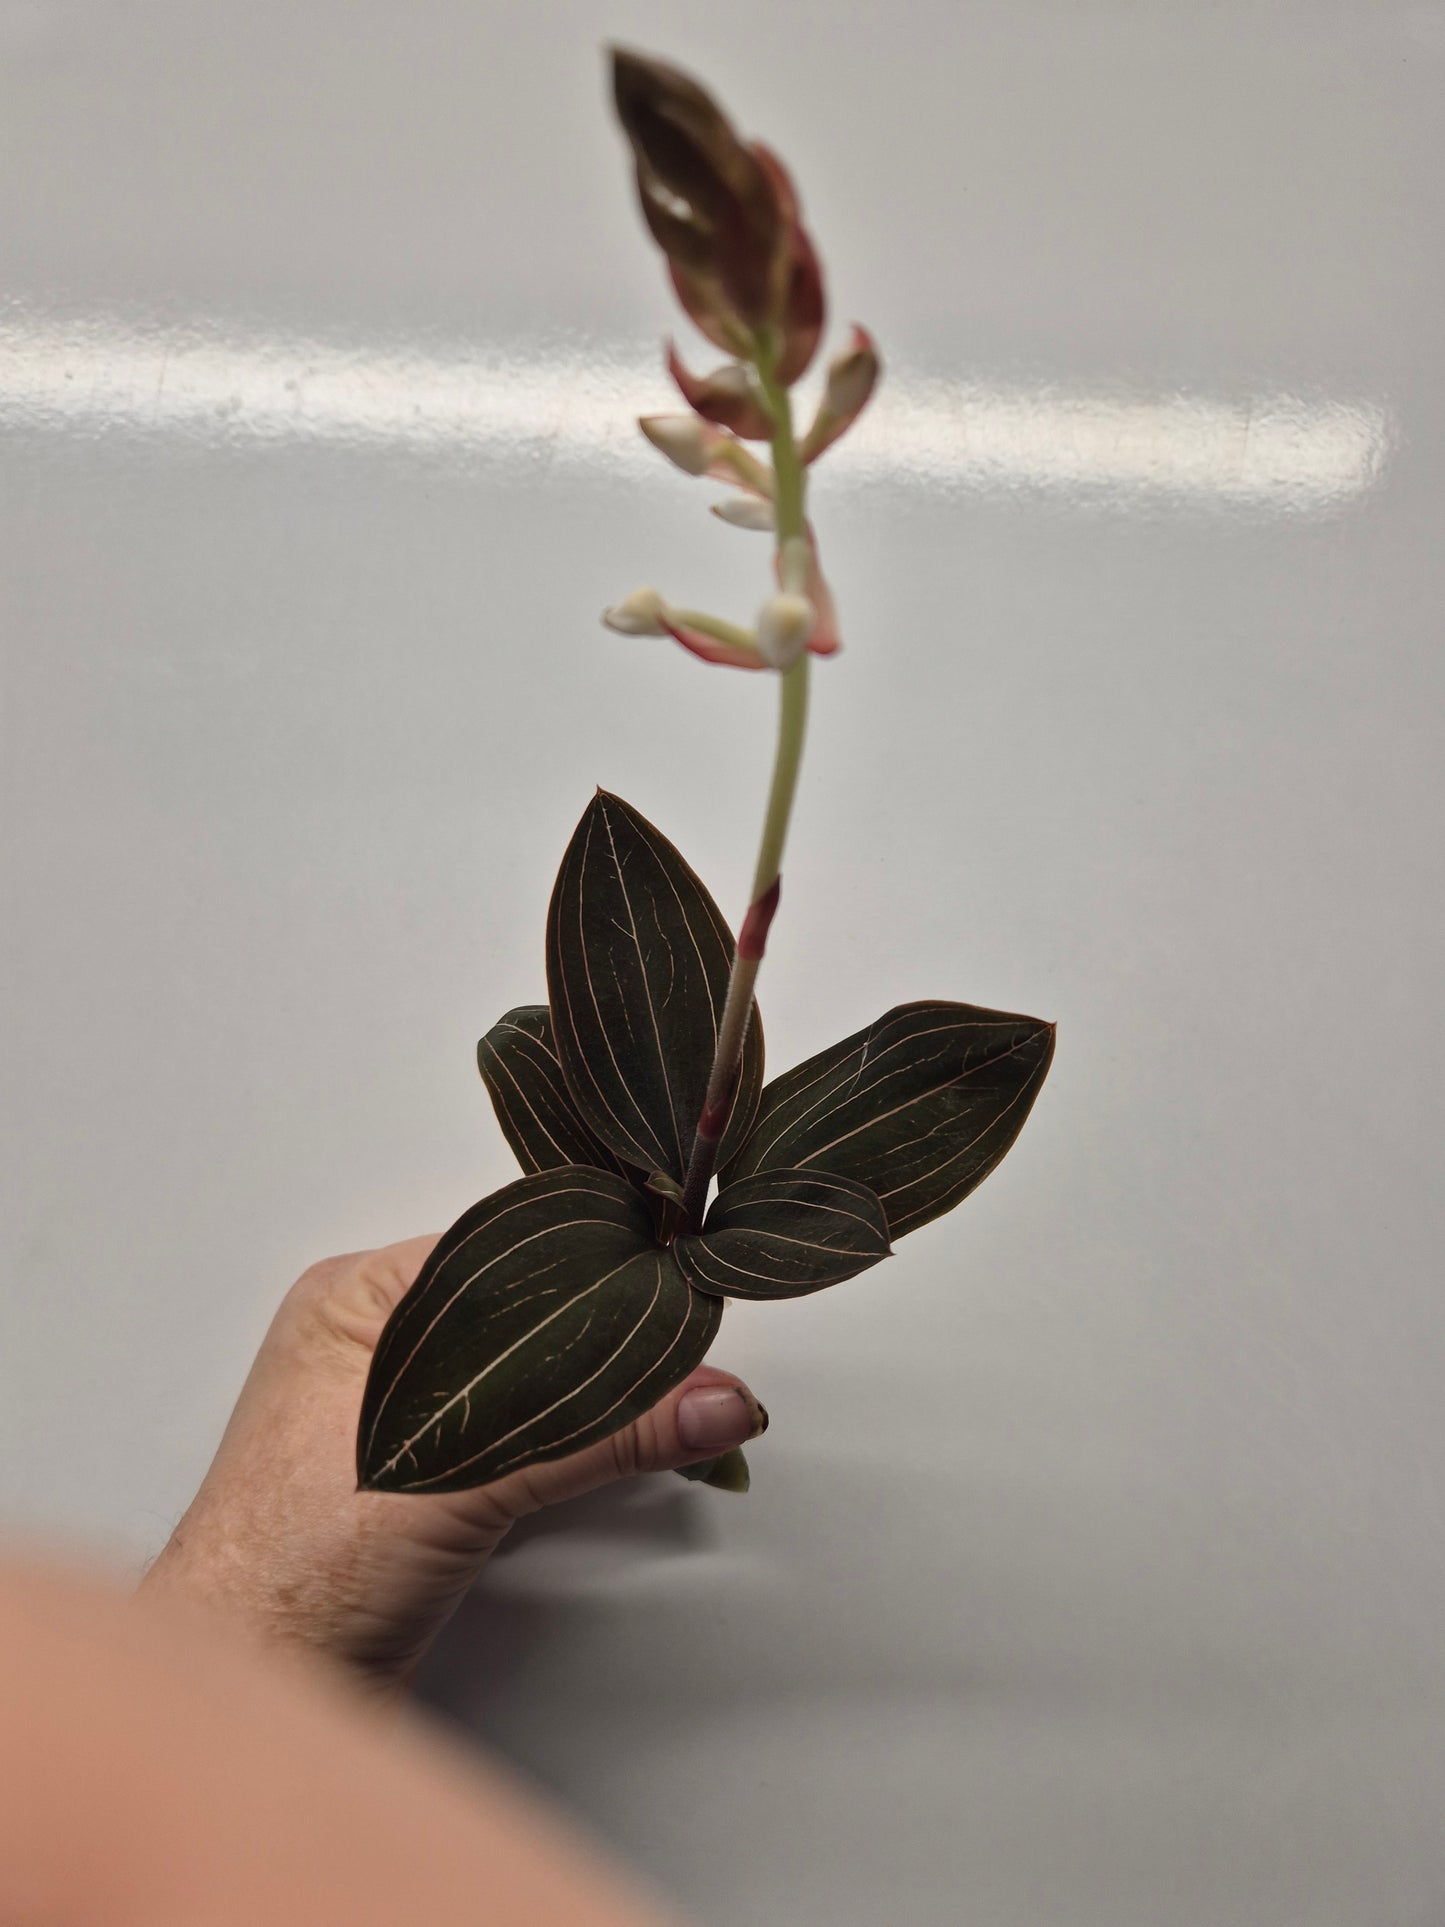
point(787, 762)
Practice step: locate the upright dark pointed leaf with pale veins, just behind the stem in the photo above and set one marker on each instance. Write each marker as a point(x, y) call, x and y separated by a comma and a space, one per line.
point(639, 963)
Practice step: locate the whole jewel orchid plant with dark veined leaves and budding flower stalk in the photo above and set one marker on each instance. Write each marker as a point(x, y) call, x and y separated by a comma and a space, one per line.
point(664, 1175)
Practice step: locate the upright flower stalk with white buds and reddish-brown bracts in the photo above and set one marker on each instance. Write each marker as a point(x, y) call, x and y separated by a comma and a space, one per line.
point(727, 217)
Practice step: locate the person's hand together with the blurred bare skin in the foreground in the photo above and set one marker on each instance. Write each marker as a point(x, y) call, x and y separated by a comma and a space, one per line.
point(226, 1745)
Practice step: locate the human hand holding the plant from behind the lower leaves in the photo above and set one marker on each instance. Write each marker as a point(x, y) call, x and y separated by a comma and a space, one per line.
point(282, 1541)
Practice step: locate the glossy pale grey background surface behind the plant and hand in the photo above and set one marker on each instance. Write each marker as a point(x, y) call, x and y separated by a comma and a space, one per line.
point(1095, 1562)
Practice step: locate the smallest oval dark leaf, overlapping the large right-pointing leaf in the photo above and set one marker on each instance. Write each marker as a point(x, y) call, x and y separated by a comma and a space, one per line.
point(781, 1234)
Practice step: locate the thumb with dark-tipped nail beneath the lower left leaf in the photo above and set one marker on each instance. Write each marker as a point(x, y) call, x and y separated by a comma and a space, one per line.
point(702, 1417)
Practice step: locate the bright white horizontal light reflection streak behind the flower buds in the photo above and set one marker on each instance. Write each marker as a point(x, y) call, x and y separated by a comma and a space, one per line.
point(101, 377)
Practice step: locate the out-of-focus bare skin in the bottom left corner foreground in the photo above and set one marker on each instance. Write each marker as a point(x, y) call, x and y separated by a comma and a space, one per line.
point(161, 1770)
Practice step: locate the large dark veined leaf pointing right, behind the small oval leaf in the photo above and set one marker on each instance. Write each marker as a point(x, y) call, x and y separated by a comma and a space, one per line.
point(920, 1107)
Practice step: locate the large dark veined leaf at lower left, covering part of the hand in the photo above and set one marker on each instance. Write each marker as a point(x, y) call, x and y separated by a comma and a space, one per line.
point(544, 1321)
